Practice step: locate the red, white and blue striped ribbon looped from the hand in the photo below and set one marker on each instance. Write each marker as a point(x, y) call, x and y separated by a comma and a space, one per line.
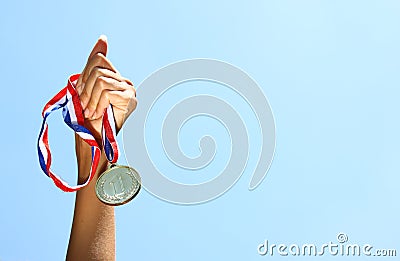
point(68, 100)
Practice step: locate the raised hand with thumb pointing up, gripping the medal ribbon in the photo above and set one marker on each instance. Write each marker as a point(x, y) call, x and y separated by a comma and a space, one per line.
point(101, 84)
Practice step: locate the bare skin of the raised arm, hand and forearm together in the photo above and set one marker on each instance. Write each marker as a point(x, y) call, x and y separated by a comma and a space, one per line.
point(93, 227)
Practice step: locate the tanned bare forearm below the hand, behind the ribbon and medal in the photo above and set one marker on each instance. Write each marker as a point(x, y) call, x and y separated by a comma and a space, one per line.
point(93, 228)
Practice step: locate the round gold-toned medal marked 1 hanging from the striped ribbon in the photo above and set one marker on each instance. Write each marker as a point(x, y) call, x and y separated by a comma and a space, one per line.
point(118, 185)
